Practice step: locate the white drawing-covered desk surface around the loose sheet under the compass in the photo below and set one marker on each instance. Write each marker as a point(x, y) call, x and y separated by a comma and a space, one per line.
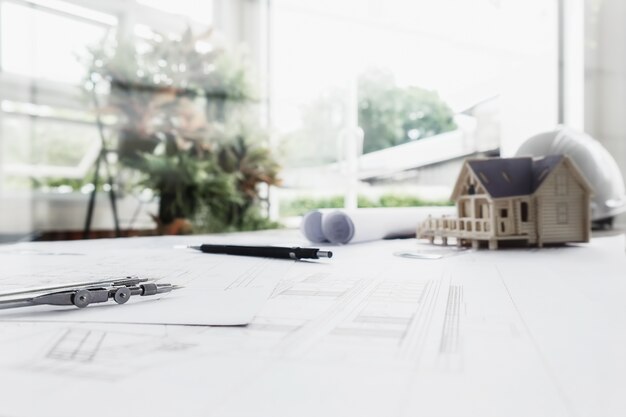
point(523, 332)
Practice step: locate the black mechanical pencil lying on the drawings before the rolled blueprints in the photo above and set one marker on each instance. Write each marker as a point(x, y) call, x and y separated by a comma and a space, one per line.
point(266, 251)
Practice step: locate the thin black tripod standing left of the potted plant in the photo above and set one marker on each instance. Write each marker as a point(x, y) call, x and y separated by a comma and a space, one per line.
point(102, 159)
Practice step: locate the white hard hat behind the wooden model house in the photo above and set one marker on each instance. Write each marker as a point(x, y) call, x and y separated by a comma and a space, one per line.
point(593, 160)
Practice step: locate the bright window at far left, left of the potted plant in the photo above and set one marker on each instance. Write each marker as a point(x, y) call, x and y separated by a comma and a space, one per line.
point(44, 128)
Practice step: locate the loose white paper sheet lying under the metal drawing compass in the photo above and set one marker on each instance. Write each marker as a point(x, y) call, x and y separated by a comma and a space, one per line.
point(218, 289)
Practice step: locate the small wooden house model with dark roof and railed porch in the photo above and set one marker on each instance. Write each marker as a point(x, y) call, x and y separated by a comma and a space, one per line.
point(519, 200)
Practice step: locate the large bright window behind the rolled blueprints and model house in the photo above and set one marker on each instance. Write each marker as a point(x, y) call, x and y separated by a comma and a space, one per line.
point(383, 98)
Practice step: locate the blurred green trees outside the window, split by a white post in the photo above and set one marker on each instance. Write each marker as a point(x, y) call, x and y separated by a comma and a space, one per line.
point(389, 115)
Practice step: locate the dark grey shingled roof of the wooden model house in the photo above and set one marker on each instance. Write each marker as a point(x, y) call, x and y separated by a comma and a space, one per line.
point(510, 177)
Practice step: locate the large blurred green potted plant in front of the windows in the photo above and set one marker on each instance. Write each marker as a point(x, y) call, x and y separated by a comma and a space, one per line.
point(183, 110)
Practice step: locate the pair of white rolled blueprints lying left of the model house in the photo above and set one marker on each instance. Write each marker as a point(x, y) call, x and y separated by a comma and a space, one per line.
point(360, 225)
